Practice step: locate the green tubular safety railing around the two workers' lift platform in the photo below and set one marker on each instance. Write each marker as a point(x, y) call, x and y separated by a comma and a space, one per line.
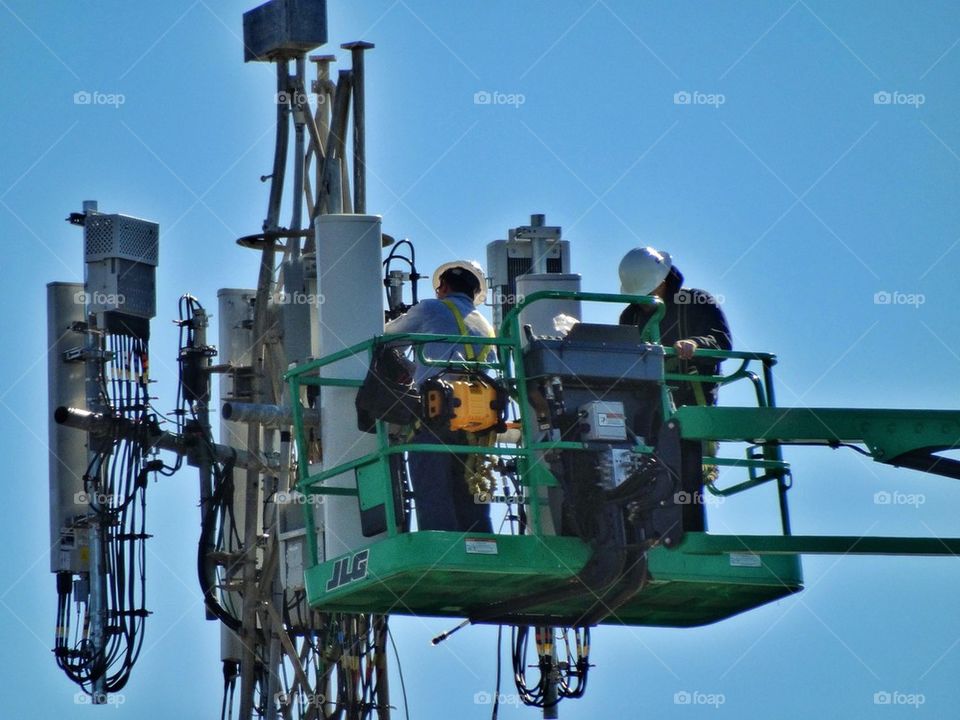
point(509, 366)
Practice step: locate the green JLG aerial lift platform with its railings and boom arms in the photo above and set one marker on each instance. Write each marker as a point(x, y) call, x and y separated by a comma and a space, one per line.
point(539, 577)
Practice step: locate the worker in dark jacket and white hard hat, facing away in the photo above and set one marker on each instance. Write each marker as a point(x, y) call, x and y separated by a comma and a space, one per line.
point(693, 320)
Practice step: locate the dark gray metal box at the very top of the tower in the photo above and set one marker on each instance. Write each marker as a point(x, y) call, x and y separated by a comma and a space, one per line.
point(284, 28)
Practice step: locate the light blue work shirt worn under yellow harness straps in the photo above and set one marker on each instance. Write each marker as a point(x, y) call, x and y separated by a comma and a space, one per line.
point(433, 316)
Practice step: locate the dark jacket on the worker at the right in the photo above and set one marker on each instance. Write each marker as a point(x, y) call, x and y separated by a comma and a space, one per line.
point(691, 314)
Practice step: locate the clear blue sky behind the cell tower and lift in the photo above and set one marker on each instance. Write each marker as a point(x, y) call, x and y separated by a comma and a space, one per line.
point(812, 175)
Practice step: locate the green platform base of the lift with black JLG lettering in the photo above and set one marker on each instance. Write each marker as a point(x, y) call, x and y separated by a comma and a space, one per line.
point(450, 574)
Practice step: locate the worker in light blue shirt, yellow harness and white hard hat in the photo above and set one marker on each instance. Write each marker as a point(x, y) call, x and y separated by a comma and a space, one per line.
point(442, 499)
